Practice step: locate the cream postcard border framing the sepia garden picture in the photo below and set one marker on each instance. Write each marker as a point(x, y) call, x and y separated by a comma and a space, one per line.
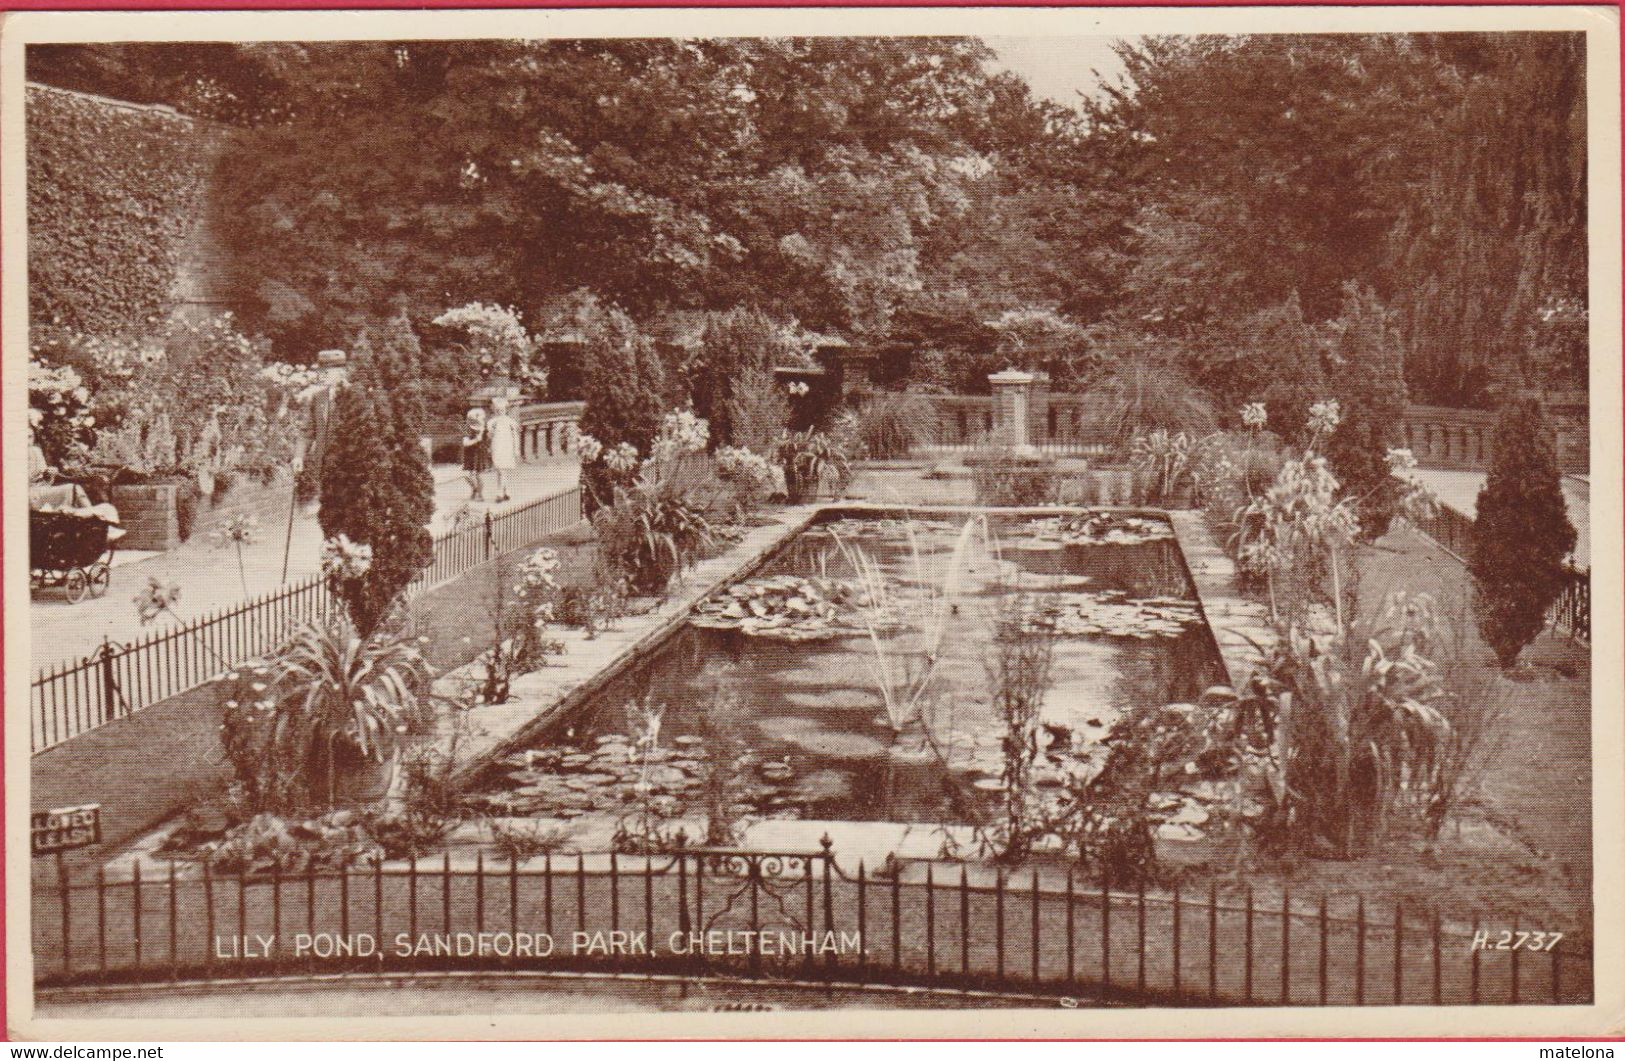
point(1598, 24)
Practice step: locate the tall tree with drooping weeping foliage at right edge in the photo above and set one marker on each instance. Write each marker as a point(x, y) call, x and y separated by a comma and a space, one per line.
point(1489, 258)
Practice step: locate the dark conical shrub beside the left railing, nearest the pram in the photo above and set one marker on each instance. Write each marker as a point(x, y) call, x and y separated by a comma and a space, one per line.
point(376, 492)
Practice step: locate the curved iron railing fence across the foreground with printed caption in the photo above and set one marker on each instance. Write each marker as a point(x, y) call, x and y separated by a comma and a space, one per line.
point(792, 916)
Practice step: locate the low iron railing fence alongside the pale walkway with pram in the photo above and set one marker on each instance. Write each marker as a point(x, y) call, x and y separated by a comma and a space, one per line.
point(123, 678)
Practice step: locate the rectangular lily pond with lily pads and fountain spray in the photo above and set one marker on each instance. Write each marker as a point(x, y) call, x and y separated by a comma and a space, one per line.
point(849, 678)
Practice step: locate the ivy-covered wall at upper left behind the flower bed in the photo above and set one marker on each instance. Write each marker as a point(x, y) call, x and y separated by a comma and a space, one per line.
point(113, 191)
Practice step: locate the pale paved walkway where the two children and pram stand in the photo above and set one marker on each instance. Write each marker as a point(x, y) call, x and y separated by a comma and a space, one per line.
point(210, 581)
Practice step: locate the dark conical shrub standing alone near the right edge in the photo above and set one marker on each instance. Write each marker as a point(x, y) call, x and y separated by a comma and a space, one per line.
point(1522, 534)
